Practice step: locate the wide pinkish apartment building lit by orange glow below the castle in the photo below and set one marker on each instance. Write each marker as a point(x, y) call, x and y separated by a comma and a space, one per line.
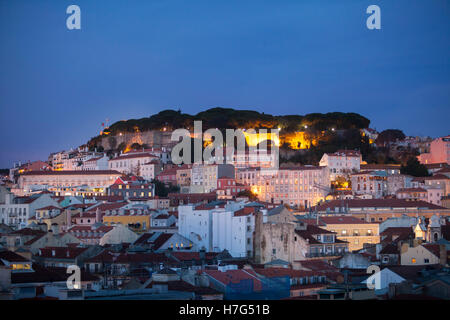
point(302, 186)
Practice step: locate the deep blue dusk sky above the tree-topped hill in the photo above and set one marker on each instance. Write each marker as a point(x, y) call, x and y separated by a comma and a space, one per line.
point(134, 58)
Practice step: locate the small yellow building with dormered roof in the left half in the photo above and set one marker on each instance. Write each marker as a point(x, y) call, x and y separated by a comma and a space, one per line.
point(136, 219)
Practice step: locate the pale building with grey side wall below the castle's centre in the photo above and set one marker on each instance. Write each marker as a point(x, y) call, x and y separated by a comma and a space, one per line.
point(204, 176)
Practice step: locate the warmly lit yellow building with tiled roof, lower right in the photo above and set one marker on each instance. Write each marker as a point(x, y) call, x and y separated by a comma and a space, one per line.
point(355, 231)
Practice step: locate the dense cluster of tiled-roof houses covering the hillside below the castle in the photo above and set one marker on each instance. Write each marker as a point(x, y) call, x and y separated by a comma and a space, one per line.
point(229, 232)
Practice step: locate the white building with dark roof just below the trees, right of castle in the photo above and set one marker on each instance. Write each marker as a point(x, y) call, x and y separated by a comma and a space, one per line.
point(341, 163)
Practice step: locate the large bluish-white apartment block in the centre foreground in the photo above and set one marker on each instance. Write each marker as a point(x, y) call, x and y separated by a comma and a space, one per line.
point(219, 227)
